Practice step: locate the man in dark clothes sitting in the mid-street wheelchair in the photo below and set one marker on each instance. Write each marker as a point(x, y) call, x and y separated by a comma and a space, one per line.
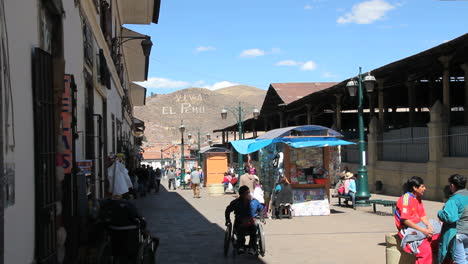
point(245, 210)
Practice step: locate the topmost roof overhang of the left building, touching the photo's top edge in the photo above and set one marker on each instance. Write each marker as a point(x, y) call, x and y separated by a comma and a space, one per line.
point(139, 11)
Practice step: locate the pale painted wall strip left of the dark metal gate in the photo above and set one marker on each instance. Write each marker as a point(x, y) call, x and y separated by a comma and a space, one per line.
point(22, 25)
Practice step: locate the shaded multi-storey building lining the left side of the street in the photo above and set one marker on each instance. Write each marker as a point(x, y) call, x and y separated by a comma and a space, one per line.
point(67, 97)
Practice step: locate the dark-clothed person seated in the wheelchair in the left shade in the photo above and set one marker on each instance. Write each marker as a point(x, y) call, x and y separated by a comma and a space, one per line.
point(124, 223)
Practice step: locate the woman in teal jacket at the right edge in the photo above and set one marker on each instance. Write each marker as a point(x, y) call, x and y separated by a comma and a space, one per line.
point(454, 215)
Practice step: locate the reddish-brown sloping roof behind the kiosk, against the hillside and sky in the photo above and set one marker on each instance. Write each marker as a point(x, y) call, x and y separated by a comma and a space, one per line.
point(290, 92)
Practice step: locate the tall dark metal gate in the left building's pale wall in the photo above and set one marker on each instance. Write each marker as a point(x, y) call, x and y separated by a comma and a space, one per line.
point(44, 157)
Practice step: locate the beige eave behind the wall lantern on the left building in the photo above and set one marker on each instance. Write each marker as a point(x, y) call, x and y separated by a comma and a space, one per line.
point(137, 63)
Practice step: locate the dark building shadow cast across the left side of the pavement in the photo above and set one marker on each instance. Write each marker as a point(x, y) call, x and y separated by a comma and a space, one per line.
point(186, 236)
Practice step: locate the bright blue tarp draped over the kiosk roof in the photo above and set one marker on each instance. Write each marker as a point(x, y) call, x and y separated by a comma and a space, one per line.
point(252, 145)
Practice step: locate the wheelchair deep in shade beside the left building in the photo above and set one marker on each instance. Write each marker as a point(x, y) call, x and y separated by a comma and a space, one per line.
point(140, 246)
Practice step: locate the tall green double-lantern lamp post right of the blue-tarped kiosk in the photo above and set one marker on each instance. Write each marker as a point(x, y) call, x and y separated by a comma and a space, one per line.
point(362, 194)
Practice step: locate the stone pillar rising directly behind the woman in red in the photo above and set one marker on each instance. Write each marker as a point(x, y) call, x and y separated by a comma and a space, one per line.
point(437, 145)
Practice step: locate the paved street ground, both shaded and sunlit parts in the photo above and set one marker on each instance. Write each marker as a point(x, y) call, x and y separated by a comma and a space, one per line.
point(191, 231)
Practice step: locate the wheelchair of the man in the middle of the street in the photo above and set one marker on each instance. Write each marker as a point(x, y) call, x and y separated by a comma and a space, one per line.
point(230, 239)
